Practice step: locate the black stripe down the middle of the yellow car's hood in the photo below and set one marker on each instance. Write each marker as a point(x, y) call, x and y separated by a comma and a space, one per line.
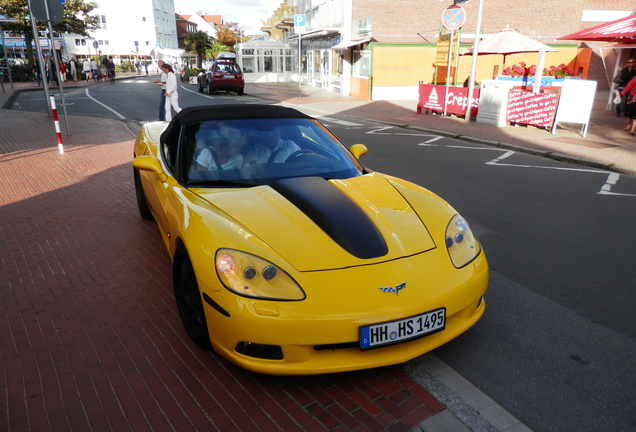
point(335, 213)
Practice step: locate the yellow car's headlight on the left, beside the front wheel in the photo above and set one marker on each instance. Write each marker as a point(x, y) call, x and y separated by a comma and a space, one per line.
point(250, 276)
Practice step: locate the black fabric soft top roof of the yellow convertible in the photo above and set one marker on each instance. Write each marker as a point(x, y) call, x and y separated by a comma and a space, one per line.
point(228, 112)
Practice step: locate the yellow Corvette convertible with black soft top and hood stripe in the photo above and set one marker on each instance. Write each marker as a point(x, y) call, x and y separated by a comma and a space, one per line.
point(289, 256)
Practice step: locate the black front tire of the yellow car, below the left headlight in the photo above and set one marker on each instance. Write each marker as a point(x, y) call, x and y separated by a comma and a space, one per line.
point(188, 297)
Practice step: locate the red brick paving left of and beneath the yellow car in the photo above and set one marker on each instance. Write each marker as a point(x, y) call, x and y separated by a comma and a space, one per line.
point(90, 334)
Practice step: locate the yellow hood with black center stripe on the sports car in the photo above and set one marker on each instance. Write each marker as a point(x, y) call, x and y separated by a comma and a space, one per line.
point(317, 224)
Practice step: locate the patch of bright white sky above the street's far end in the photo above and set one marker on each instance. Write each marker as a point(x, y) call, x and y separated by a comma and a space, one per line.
point(248, 13)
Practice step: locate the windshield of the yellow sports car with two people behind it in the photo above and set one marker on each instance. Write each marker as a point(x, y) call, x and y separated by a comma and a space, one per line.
point(260, 151)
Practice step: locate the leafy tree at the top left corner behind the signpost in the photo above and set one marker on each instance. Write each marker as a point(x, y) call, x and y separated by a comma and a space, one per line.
point(77, 19)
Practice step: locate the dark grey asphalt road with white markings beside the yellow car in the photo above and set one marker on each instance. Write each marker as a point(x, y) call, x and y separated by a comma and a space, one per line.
point(557, 344)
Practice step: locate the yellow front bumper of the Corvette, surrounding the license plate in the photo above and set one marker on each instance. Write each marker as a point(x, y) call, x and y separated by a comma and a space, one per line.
point(321, 334)
